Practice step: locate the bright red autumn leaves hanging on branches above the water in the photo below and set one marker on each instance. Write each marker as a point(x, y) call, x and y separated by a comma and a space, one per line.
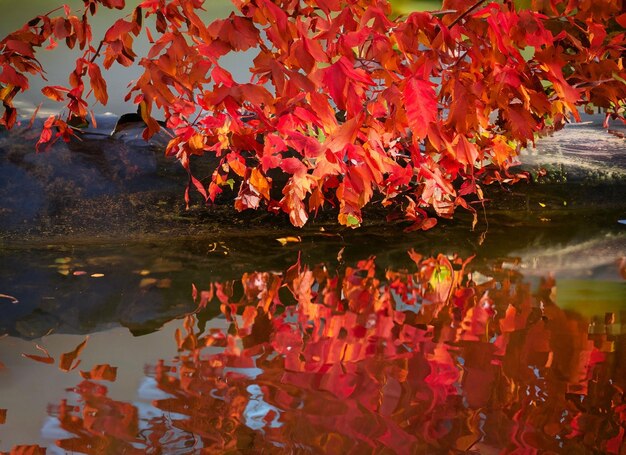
point(417, 109)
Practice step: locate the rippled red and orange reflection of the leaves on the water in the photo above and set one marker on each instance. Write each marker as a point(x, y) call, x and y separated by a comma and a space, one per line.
point(358, 361)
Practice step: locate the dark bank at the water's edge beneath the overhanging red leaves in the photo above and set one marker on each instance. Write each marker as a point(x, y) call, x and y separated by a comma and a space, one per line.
point(118, 188)
